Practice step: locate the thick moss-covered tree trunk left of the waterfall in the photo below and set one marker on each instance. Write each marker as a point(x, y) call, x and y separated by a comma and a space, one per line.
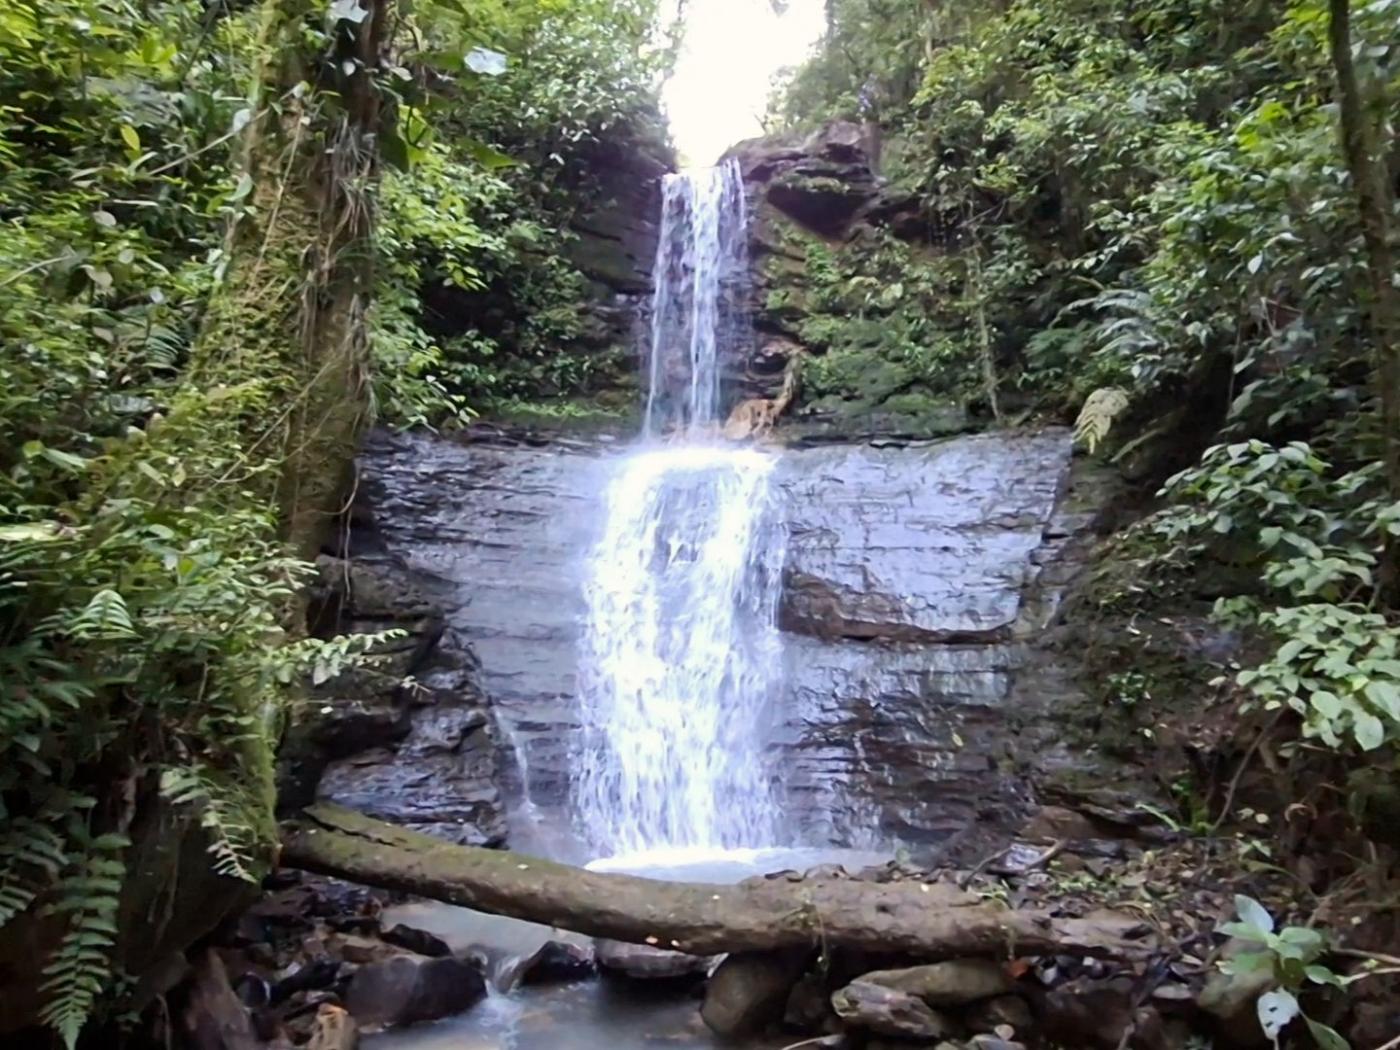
point(290, 311)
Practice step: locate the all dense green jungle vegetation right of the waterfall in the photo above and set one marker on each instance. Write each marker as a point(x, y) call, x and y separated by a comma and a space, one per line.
point(1175, 223)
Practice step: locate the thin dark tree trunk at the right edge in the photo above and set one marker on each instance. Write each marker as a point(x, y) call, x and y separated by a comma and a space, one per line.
point(1375, 202)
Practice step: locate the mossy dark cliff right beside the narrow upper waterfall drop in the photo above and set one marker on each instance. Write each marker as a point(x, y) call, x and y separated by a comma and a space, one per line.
point(853, 275)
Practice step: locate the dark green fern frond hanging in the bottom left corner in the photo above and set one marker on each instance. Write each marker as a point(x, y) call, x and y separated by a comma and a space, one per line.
point(82, 967)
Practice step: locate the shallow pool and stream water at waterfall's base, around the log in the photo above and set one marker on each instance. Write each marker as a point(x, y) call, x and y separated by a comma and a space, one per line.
point(600, 1014)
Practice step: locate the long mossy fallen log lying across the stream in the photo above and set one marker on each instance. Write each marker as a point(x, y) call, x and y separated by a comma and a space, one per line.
point(927, 920)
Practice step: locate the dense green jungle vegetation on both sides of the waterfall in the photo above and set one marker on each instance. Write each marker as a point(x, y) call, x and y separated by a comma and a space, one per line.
point(1174, 222)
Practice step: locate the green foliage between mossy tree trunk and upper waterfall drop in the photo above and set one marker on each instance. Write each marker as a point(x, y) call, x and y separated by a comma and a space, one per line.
point(477, 219)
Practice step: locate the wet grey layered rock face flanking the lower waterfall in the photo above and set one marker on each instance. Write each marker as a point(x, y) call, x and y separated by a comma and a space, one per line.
point(923, 702)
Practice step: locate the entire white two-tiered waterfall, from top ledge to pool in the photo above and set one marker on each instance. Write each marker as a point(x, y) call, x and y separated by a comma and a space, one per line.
point(681, 652)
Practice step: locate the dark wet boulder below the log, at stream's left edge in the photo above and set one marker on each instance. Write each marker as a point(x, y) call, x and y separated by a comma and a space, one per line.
point(408, 989)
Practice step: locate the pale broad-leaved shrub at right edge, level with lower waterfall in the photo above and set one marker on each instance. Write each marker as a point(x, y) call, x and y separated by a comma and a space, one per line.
point(1315, 538)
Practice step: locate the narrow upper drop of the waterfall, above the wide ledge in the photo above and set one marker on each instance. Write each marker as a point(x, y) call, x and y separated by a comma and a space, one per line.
point(698, 303)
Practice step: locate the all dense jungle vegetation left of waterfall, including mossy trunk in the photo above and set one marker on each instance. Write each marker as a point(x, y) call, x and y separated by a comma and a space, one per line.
point(218, 222)
